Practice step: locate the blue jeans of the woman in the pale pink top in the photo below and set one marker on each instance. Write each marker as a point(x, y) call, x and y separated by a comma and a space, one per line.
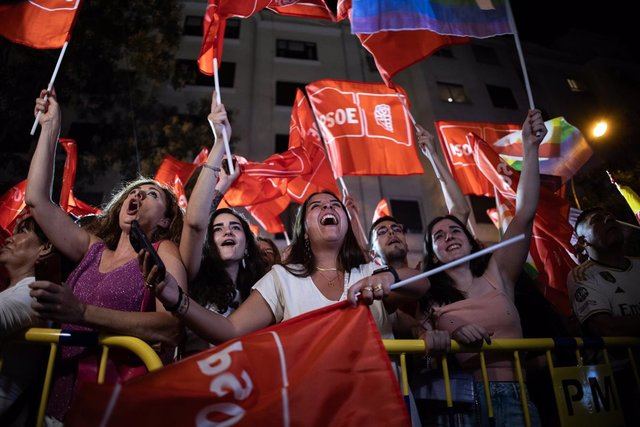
point(507, 410)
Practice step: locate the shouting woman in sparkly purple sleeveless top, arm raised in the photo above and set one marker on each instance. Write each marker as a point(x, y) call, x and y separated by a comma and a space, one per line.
point(106, 291)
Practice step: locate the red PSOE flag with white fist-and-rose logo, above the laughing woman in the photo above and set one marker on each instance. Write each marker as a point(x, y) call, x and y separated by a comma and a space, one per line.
point(366, 128)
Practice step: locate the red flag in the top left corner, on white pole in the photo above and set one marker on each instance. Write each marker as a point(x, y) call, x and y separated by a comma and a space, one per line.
point(41, 24)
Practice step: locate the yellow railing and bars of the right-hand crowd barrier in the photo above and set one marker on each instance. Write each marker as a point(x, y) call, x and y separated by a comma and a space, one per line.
point(514, 346)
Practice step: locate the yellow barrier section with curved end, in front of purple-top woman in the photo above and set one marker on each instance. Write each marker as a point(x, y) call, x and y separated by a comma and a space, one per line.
point(56, 337)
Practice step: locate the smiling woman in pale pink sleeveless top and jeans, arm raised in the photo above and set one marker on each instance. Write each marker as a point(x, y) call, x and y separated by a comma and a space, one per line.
point(474, 302)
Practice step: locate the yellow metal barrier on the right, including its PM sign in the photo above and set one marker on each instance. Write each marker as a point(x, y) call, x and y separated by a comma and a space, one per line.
point(516, 346)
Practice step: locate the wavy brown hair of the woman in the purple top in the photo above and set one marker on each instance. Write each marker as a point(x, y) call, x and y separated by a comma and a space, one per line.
point(107, 224)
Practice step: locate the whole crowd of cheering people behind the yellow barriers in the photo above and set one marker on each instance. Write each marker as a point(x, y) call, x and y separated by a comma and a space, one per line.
point(221, 281)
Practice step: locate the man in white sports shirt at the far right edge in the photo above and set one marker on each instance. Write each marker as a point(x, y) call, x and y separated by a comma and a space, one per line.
point(605, 289)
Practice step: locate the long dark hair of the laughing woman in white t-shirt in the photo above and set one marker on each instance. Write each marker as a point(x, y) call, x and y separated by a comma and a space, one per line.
point(299, 253)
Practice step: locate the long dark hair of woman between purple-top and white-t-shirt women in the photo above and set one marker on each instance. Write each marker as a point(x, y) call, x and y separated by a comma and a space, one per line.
point(213, 284)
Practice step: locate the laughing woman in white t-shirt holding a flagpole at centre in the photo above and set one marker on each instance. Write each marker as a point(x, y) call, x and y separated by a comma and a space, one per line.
point(323, 262)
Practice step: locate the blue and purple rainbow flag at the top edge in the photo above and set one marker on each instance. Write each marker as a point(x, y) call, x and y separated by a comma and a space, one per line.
point(473, 18)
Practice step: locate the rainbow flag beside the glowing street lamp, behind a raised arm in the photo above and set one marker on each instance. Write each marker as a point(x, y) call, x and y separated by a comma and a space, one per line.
point(562, 152)
